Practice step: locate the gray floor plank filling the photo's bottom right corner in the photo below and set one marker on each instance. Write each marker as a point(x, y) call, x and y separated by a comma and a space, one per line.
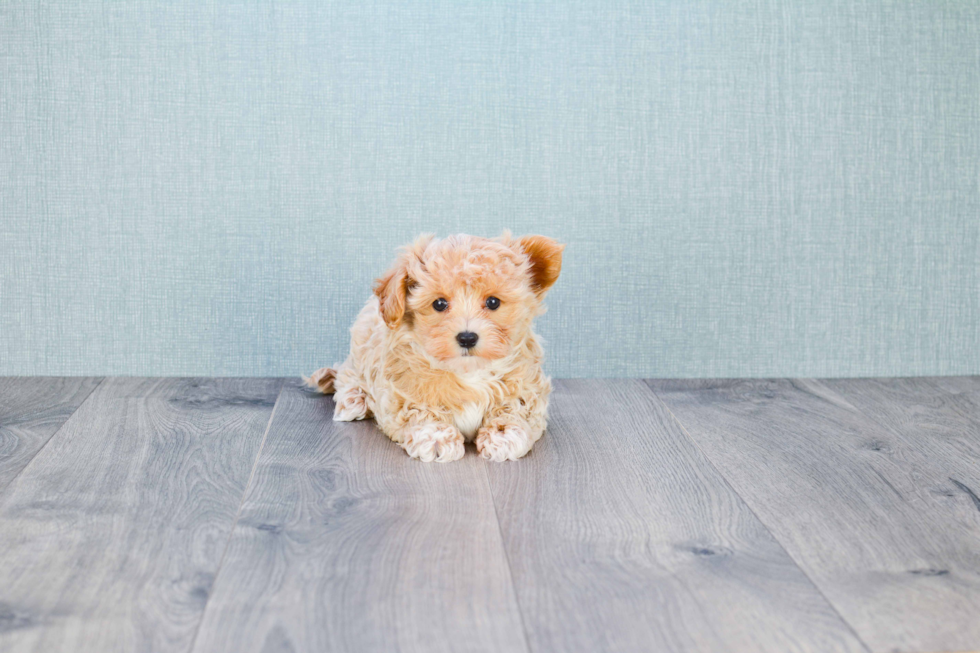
point(867, 514)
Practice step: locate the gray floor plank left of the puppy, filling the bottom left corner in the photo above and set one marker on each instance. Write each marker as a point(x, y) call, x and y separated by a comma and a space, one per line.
point(110, 539)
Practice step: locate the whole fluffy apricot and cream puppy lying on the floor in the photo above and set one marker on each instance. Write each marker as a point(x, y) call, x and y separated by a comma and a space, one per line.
point(444, 351)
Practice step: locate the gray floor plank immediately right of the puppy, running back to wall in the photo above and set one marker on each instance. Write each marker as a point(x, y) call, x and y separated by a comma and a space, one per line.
point(622, 537)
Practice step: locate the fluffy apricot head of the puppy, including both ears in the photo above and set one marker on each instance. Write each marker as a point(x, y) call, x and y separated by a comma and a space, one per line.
point(467, 300)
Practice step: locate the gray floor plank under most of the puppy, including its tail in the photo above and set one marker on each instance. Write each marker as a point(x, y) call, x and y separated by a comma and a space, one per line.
point(346, 544)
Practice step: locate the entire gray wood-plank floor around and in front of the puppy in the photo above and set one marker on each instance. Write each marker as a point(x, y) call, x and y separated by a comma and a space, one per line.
point(233, 515)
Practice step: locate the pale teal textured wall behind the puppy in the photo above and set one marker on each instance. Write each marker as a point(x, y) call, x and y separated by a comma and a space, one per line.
point(746, 188)
